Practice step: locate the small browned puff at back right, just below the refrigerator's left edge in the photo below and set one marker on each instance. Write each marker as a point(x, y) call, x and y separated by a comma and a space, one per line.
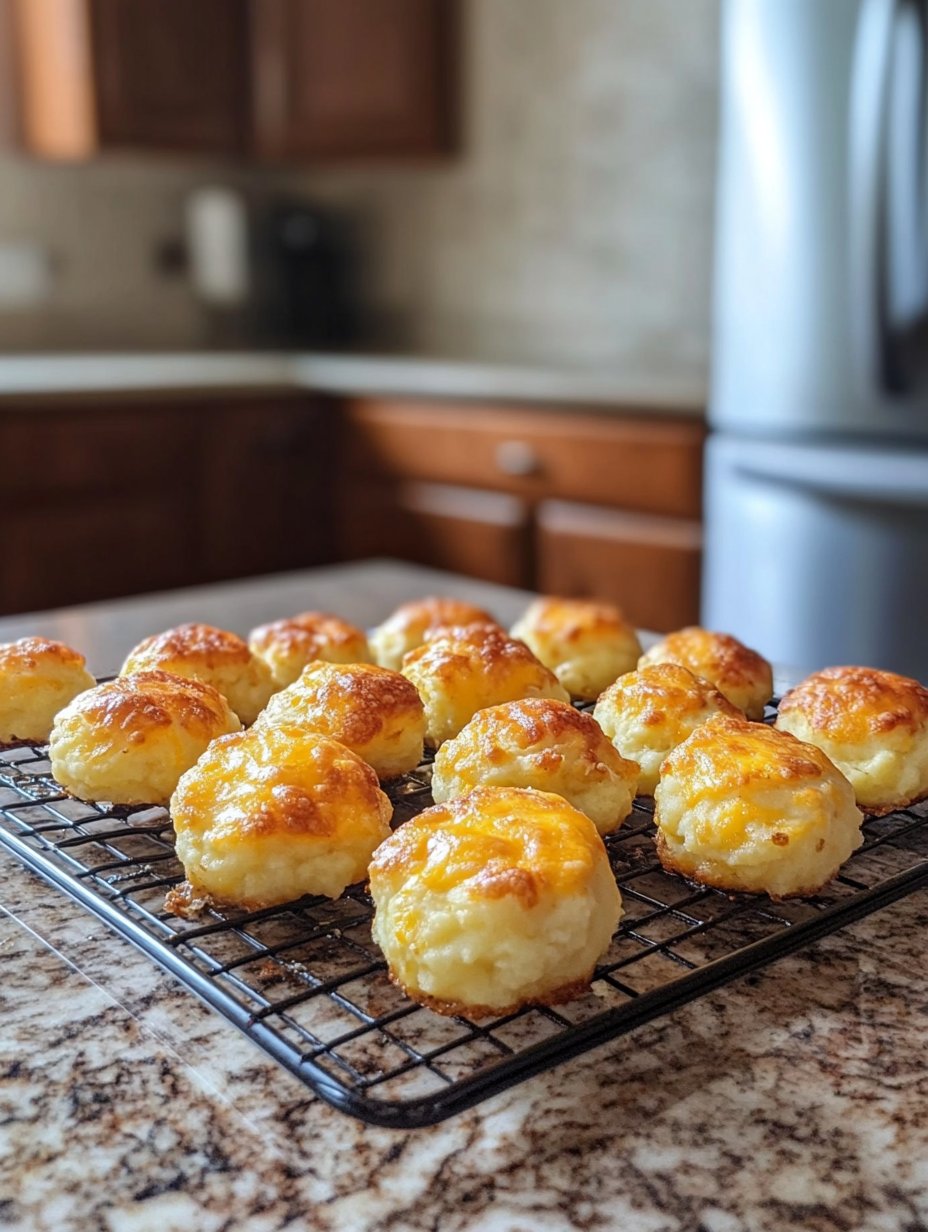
point(741, 675)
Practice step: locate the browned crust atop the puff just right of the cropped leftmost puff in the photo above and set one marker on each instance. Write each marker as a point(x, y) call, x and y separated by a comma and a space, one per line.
point(147, 700)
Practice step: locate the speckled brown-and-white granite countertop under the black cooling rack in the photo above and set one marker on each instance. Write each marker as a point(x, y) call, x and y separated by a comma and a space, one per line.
point(791, 1100)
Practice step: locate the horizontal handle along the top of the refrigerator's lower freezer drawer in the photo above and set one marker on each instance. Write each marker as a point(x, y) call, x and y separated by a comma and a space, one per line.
point(899, 480)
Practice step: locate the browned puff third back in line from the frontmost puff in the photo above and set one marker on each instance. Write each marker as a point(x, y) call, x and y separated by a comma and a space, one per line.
point(458, 677)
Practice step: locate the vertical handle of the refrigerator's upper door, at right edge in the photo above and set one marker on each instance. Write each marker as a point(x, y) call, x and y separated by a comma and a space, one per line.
point(889, 236)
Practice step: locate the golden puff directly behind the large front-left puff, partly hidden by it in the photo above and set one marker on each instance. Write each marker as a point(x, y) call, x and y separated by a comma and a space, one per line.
point(375, 713)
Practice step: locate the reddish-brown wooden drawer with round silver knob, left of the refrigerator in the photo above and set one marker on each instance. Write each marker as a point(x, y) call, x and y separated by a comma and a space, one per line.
point(648, 465)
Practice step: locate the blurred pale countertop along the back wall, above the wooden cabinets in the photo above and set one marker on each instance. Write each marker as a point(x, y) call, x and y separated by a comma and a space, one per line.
point(351, 374)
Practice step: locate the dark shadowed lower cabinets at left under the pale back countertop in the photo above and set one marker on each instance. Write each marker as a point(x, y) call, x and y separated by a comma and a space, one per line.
point(100, 502)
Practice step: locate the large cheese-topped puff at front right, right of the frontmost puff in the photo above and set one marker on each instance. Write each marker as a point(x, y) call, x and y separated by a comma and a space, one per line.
point(745, 808)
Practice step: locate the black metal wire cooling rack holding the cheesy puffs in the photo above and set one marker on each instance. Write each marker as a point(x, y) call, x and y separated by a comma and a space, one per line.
point(309, 985)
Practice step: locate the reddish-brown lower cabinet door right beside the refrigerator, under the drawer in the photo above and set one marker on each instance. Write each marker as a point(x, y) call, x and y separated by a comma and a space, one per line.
point(650, 566)
